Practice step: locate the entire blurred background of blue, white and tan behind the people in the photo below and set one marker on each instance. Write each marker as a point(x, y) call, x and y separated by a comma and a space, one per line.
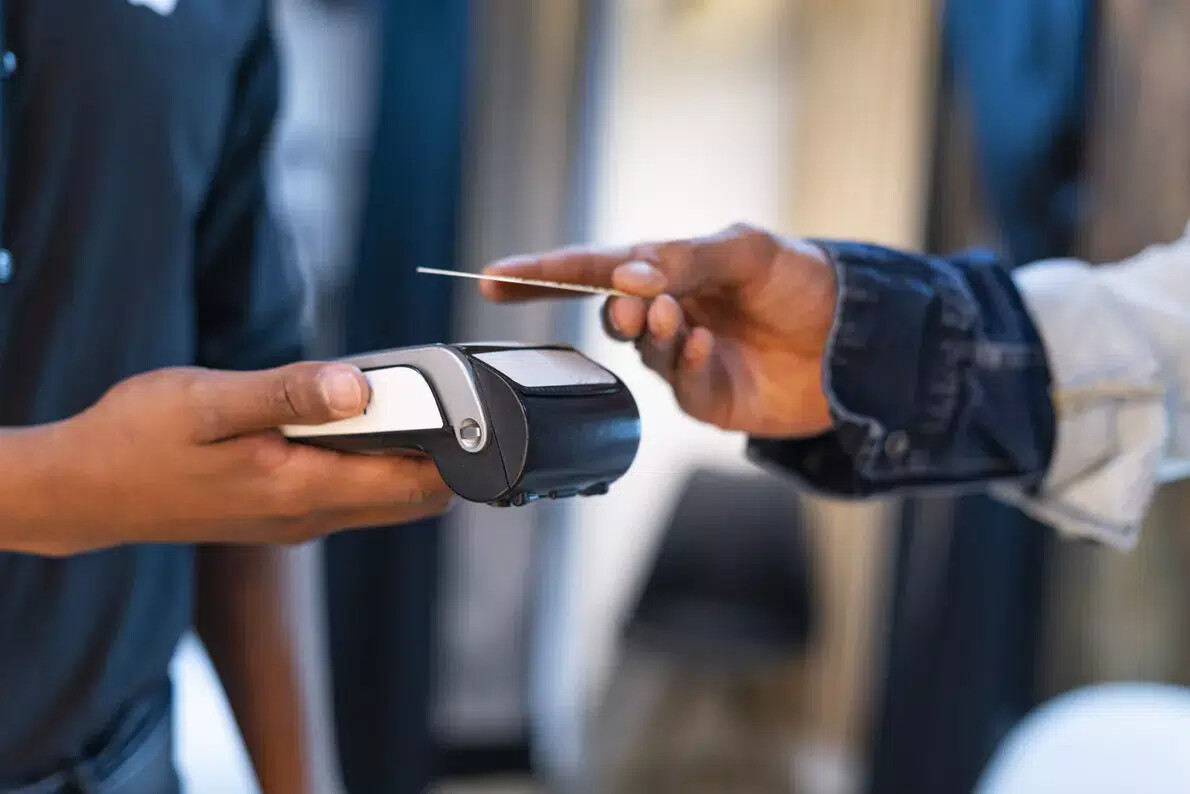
point(704, 628)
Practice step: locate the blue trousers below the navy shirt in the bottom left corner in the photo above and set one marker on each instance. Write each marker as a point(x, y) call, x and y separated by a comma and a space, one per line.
point(136, 757)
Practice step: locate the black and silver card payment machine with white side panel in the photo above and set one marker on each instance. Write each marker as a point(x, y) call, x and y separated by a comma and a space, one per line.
point(505, 424)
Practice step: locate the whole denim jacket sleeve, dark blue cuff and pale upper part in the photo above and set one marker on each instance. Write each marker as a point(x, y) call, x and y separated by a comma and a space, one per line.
point(1060, 387)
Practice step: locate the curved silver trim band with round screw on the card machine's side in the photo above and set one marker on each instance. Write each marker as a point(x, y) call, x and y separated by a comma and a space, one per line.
point(453, 379)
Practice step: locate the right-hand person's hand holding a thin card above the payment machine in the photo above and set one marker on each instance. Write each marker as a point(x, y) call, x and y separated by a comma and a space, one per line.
point(736, 322)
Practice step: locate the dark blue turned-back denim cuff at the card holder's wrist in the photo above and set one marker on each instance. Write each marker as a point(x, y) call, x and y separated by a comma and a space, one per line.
point(935, 374)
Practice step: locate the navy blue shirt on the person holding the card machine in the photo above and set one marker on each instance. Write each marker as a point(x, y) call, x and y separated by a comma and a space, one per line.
point(140, 234)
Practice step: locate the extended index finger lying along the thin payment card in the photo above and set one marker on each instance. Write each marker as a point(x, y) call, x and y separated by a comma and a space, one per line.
point(581, 266)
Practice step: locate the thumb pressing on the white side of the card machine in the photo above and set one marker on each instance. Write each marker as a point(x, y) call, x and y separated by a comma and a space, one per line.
point(226, 405)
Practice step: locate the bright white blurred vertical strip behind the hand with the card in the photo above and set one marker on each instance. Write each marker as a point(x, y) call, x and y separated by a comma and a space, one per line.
point(692, 141)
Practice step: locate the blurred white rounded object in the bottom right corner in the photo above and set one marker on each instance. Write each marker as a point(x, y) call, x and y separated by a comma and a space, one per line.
point(1104, 740)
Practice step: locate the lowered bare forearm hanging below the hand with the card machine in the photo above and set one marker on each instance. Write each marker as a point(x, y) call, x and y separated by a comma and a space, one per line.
point(245, 621)
